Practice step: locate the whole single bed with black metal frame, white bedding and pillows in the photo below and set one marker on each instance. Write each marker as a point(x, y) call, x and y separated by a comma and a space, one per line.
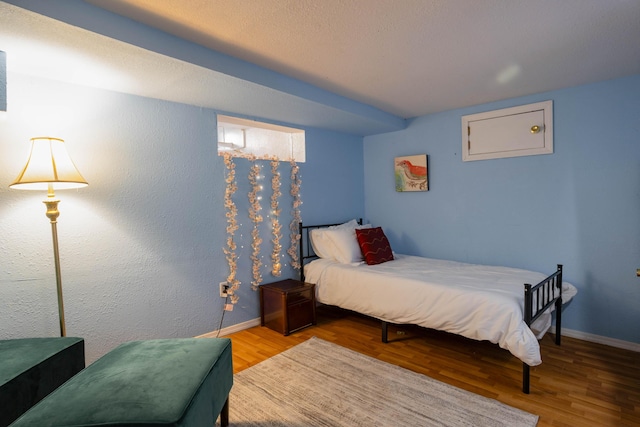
point(353, 268)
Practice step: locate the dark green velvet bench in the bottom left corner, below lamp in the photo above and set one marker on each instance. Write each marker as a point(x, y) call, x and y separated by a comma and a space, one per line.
point(31, 368)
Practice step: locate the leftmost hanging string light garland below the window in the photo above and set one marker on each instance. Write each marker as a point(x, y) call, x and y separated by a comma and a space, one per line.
point(232, 227)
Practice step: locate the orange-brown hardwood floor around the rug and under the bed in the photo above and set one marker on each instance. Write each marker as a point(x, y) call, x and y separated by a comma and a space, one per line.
point(578, 384)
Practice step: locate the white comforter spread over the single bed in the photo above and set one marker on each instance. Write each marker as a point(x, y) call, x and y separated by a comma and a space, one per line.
point(476, 301)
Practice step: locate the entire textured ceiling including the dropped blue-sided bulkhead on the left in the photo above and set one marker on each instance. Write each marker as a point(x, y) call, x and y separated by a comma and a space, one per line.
point(355, 66)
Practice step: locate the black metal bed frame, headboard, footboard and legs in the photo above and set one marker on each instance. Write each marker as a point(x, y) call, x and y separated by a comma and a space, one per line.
point(537, 299)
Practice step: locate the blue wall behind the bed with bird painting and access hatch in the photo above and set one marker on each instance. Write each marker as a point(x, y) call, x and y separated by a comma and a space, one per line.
point(579, 206)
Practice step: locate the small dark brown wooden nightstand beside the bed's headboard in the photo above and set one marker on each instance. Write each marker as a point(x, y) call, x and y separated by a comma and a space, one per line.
point(287, 305)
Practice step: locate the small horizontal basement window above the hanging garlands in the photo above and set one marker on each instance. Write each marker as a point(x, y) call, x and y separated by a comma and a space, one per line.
point(244, 138)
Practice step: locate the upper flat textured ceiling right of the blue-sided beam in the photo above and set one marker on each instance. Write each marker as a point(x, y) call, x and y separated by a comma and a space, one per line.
point(413, 57)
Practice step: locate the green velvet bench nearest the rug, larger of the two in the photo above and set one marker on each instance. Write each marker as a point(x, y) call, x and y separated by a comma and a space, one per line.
point(168, 382)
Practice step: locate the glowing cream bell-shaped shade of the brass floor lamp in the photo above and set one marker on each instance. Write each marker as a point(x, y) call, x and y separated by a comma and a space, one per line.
point(48, 165)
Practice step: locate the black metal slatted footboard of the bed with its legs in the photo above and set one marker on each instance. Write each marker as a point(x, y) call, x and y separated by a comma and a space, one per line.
point(537, 299)
